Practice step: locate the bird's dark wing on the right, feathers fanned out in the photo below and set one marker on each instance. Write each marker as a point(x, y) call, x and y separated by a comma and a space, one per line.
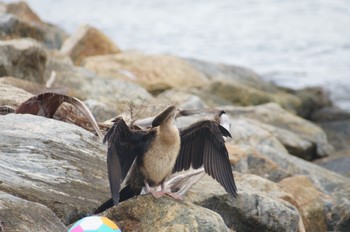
point(203, 144)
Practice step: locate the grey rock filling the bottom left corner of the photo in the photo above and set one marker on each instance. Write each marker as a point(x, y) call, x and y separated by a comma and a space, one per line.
point(17, 214)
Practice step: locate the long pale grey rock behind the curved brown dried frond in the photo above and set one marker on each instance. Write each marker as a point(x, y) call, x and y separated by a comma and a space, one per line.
point(84, 84)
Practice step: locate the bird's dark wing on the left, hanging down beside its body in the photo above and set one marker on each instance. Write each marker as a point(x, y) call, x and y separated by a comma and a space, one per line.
point(123, 147)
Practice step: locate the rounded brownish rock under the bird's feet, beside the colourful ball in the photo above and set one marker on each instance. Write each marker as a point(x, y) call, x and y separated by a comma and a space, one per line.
point(145, 213)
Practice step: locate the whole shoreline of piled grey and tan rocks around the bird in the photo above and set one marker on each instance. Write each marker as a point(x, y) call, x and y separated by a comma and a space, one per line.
point(290, 150)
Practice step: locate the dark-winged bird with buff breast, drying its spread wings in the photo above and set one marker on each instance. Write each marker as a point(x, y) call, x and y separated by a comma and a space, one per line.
point(145, 158)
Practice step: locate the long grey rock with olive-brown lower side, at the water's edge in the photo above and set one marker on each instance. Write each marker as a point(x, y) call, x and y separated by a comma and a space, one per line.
point(242, 86)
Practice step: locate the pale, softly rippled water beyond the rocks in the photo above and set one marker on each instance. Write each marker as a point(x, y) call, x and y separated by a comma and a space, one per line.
point(293, 43)
